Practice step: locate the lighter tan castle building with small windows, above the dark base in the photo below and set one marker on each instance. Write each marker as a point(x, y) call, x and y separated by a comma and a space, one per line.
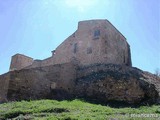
point(95, 41)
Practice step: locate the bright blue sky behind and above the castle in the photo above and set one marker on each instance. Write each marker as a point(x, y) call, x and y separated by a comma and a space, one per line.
point(36, 27)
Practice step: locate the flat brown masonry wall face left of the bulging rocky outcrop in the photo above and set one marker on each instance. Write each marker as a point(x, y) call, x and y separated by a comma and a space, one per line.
point(40, 82)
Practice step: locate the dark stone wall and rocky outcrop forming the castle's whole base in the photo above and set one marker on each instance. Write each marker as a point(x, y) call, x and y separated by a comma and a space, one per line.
point(101, 82)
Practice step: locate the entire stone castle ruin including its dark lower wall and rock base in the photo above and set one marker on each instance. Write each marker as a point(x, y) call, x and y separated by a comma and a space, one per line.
point(93, 63)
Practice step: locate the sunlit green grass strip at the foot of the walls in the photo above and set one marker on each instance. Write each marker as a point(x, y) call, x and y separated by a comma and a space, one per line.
point(72, 110)
